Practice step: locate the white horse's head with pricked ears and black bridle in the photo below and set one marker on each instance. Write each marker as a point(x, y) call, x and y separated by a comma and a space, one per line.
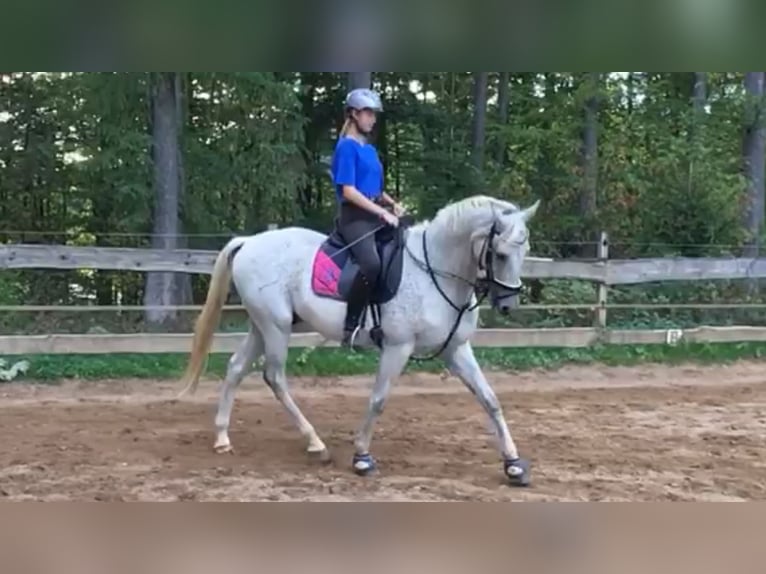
point(499, 249)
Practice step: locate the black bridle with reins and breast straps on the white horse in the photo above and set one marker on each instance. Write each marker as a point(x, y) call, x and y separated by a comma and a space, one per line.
point(481, 287)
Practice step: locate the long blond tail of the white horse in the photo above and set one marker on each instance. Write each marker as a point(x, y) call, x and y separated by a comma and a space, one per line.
point(210, 315)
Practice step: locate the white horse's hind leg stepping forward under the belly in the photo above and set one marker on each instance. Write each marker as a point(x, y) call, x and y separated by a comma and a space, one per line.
point(277, 342)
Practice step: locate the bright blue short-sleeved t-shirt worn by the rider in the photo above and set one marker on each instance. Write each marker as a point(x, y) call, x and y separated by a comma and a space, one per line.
point(357, 164)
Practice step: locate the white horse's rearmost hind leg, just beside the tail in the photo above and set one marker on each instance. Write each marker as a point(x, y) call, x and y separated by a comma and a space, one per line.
point(240, 364)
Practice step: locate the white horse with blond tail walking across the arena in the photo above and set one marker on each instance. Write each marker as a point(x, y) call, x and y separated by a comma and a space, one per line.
point(474, 246)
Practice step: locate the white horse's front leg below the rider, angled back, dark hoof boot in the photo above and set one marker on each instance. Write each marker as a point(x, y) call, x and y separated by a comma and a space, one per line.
point(393, 359)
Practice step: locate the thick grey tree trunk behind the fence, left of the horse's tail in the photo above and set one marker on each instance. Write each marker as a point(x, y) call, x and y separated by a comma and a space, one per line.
point(161, 288)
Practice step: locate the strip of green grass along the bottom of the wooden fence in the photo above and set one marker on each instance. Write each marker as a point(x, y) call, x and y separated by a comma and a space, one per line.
point(328, 362)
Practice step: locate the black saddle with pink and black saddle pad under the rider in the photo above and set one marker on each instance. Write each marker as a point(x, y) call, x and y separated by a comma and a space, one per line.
point(334, 268)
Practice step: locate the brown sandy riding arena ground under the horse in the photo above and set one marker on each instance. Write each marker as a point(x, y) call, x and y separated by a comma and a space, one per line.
point(646, 433)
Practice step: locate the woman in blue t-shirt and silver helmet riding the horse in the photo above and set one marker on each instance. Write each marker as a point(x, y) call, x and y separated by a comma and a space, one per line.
point(358, 177)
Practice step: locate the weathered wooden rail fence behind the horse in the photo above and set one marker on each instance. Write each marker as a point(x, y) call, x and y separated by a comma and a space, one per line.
point(603, 271)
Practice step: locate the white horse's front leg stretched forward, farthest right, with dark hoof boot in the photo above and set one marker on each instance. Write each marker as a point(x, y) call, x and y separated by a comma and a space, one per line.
point(462, 363)
